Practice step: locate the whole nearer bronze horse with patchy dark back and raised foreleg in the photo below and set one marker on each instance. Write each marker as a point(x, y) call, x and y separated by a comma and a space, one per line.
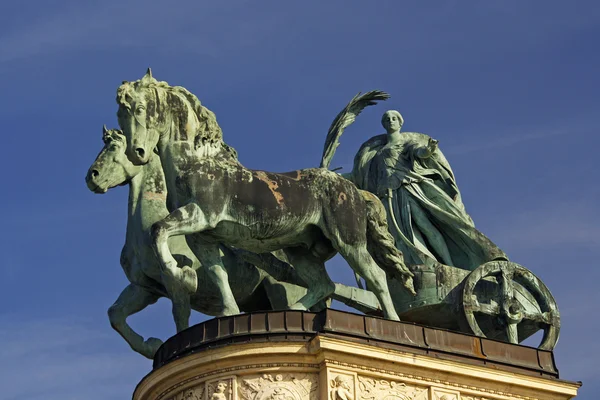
point(309, 214)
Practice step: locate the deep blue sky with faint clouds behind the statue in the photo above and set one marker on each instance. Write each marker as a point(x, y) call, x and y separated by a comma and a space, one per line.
point(509, 88)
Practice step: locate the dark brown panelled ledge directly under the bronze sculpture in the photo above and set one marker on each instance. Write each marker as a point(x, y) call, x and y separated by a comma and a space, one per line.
point(300, 326)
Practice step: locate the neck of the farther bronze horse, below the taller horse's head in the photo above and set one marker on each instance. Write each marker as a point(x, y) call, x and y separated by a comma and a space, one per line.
point(147, 197)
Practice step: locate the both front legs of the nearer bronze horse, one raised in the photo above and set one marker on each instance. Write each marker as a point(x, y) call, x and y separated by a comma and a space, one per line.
point(187, 220)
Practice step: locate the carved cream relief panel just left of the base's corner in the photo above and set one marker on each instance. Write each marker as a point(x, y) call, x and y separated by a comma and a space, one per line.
point(289, 386)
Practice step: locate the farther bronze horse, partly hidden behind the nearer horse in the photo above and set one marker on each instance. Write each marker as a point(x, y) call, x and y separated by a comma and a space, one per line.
point(253, 288)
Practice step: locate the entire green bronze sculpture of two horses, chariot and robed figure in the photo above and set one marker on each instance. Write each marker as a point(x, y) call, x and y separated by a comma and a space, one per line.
point(217, 237)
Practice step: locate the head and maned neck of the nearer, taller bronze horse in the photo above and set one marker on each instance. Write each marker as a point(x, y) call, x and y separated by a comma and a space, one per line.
point(153, 114)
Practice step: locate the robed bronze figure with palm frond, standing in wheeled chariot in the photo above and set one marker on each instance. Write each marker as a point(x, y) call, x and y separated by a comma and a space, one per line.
point(440, 243)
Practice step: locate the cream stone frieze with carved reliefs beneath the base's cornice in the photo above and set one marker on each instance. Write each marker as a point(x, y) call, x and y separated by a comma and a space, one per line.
point(341, 381)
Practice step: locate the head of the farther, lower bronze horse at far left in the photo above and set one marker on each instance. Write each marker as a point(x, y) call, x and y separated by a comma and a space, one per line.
point(112, 167)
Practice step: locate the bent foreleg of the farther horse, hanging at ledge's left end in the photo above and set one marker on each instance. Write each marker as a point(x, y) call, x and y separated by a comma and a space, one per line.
point(132, 300)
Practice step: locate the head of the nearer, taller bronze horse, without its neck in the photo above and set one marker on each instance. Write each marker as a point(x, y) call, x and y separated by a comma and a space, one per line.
point(140, 116)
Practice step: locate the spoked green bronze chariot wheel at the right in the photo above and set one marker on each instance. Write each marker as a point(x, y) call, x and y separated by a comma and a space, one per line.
point(504, 304)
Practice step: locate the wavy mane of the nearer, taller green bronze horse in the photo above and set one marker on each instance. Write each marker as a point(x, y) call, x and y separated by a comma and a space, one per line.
point(209, 131)
